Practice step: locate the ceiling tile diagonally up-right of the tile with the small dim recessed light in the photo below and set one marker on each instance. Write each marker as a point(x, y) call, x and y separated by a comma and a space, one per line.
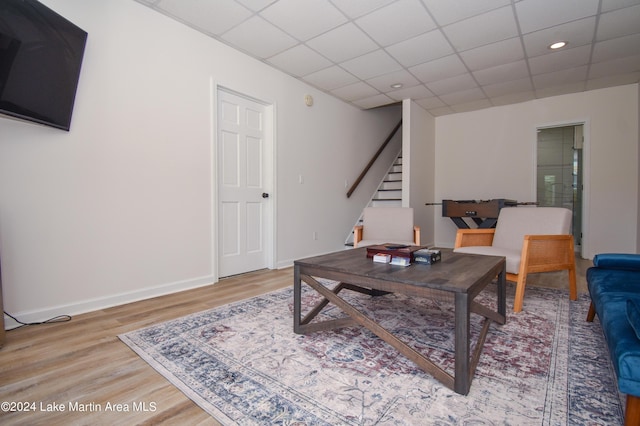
point(423, 48)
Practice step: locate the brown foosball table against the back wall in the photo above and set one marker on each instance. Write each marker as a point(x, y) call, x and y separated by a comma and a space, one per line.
point(484, 213)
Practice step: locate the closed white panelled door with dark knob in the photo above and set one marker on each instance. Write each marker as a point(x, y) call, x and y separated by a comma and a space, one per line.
point(243, 184)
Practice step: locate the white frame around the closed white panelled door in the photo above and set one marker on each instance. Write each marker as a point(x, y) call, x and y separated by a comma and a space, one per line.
point(269, 176)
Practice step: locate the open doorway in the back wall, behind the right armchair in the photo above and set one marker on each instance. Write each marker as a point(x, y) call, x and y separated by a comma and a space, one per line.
point(560, 172)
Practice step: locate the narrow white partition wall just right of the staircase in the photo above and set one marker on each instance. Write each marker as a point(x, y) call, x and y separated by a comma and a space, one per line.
point(418, 154)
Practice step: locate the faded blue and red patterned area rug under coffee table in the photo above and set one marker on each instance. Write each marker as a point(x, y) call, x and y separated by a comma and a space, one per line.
point(243, 364)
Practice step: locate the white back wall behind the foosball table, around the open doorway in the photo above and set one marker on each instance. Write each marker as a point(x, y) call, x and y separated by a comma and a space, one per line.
point(491, 154)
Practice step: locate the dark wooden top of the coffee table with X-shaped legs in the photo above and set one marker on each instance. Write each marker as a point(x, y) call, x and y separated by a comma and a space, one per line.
point(455, 273)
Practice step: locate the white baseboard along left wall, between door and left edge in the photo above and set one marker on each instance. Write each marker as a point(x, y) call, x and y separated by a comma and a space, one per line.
point(90, 305)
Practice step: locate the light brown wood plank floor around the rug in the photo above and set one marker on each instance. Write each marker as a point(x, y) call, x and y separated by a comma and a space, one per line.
point(83, 360)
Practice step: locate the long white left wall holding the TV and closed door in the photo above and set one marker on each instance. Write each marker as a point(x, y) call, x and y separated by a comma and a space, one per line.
point(121, 207)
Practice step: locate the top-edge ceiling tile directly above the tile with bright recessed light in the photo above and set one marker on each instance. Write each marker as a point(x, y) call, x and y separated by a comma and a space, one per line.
point(535, 15)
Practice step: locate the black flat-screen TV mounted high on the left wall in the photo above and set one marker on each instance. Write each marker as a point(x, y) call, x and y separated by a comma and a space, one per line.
point(40, 59)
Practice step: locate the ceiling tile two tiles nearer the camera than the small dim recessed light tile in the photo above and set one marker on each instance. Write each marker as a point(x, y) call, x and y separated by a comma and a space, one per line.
point(342, 43)
